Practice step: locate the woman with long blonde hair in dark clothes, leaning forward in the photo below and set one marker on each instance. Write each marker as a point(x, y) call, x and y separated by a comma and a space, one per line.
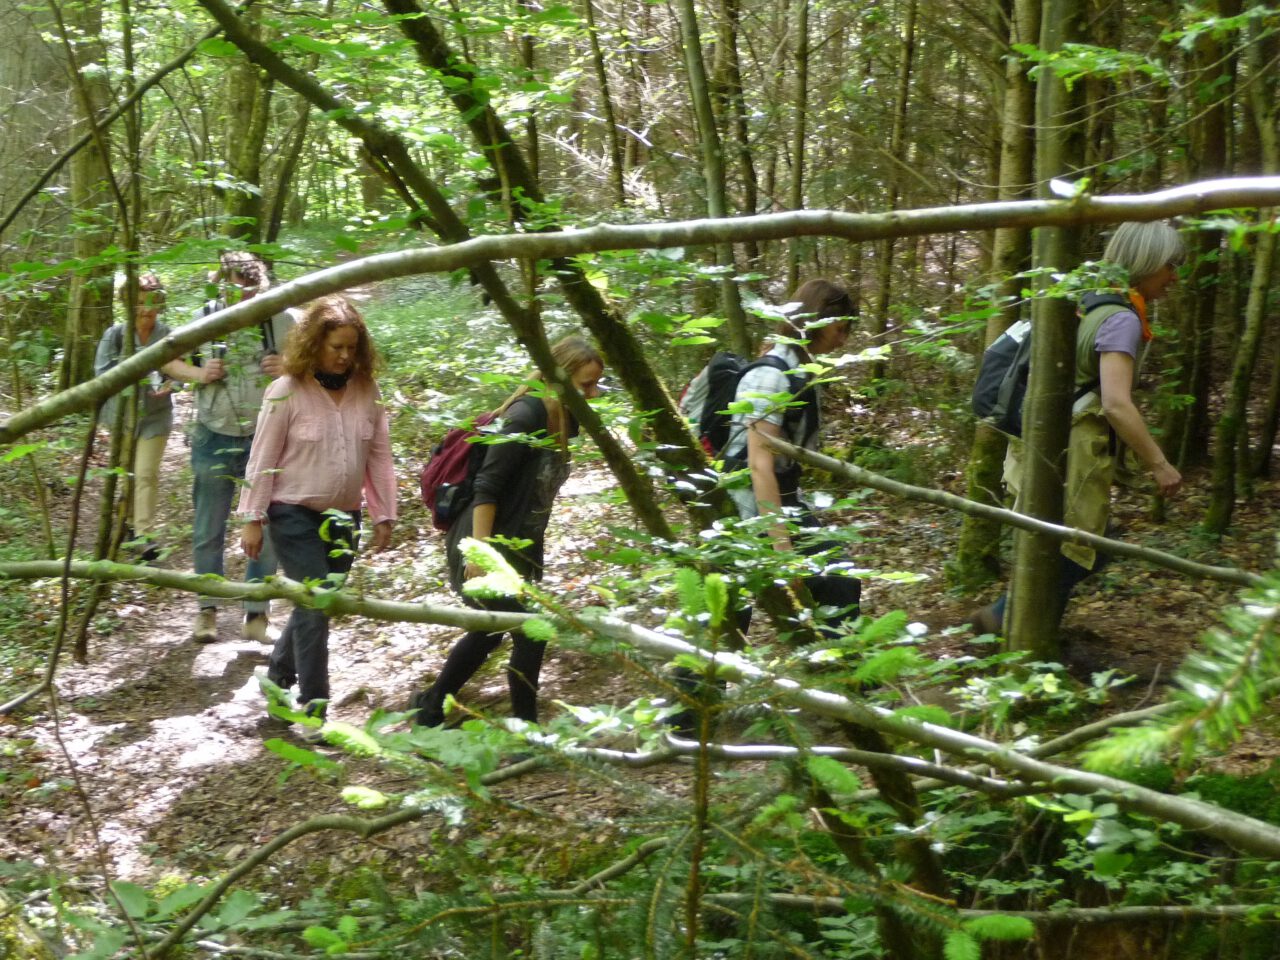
point(515, 488)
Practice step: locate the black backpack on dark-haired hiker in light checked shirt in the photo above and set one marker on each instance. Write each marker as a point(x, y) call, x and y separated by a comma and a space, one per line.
point(707, 399)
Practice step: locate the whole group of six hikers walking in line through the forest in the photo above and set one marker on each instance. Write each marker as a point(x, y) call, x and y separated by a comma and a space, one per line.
point(291, 415)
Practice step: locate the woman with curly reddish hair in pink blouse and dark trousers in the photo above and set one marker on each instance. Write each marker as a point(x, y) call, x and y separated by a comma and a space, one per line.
point(321, 452)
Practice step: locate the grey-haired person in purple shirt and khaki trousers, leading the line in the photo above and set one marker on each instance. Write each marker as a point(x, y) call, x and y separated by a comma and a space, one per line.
point(1112, 344)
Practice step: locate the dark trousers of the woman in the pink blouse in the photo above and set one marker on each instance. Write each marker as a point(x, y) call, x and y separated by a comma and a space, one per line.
point(312, 546)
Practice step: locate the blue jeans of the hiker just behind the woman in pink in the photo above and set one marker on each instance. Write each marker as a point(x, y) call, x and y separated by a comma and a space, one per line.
point(217, 468)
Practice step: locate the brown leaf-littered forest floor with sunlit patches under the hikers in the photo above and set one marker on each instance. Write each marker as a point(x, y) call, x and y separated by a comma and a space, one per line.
point(154, 762)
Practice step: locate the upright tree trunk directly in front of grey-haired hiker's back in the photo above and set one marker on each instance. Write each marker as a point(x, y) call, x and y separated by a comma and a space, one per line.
point(1046, 419)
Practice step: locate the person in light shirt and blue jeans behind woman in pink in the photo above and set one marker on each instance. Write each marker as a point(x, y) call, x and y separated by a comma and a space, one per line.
point(223, 437)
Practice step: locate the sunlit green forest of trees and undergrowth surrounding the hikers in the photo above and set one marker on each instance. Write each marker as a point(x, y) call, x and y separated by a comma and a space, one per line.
point(483, 180)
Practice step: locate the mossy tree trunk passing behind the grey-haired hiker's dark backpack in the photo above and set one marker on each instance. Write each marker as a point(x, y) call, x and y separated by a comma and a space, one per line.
point(977, 560)
